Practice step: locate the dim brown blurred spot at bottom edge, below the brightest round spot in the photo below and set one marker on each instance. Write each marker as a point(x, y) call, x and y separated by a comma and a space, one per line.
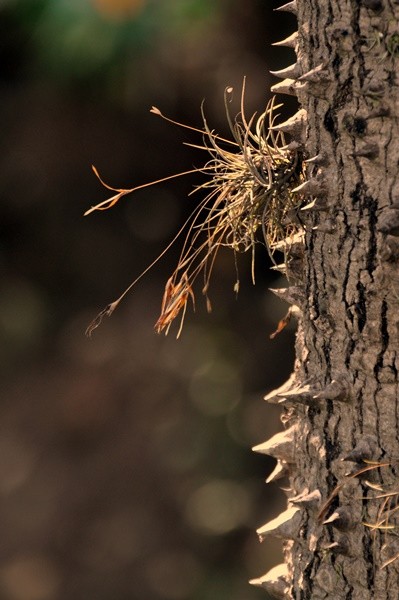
point(173, 575)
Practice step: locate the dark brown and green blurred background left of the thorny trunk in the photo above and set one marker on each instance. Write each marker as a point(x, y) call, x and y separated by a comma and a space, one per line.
point(126, 469)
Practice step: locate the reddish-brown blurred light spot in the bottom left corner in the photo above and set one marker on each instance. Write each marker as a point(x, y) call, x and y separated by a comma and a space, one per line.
point(34, 578)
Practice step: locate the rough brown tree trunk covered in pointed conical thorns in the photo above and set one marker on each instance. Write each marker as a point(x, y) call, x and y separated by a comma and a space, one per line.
point(340, 408)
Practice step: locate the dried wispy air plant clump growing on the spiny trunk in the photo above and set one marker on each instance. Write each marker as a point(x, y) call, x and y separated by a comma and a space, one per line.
point(247, 186)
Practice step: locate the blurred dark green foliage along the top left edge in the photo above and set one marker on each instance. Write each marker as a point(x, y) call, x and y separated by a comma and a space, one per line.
point(75, 40)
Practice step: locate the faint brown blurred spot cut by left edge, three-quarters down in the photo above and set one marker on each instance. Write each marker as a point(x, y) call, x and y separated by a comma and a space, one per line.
point(16, 464)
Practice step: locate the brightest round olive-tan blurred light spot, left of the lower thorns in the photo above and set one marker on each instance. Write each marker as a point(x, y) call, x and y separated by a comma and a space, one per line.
point(218, 507)
